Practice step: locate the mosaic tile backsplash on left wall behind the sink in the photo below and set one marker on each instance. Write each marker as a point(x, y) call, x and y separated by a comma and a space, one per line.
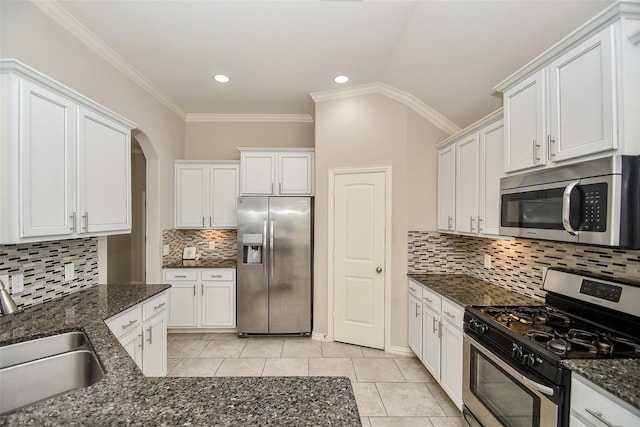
point(42, 265)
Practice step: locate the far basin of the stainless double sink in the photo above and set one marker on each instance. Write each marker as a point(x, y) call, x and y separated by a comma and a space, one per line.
point(38, 348)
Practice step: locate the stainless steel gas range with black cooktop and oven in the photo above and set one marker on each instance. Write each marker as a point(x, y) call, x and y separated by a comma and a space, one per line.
point(513, 373)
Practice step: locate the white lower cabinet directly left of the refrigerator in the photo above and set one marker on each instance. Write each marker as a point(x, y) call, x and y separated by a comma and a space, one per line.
point(202, 297)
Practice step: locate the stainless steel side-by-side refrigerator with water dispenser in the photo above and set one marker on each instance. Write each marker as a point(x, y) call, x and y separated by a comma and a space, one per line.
point(274, 280)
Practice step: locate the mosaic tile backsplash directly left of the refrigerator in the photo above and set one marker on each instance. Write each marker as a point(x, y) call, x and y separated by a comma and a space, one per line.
point(225, 243)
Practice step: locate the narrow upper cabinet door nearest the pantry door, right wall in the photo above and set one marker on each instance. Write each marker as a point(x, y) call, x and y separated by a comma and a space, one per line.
point(446, 187)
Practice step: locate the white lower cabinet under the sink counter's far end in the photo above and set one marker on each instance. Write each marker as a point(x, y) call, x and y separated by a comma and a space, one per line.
point(142, 331)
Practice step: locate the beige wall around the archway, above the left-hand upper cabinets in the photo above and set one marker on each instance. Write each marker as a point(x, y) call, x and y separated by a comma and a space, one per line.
point(30, 36)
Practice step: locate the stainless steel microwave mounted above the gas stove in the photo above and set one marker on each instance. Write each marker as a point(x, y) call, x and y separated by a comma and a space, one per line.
point(594, 202)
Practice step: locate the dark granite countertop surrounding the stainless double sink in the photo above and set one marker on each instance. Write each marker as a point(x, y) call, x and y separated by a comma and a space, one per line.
point(125, 396)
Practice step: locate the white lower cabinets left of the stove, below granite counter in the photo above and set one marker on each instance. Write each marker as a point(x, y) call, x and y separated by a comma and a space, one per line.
point(441, 346)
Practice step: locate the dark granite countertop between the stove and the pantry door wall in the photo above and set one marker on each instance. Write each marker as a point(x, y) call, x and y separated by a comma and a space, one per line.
point(466, 290)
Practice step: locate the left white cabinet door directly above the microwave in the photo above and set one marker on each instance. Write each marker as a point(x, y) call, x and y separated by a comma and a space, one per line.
point(524, 124)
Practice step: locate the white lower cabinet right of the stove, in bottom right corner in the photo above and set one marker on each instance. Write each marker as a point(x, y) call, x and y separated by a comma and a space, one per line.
point(591, 406)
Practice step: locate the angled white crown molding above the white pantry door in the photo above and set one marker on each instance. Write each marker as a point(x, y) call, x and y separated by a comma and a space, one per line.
point(397, 95)
